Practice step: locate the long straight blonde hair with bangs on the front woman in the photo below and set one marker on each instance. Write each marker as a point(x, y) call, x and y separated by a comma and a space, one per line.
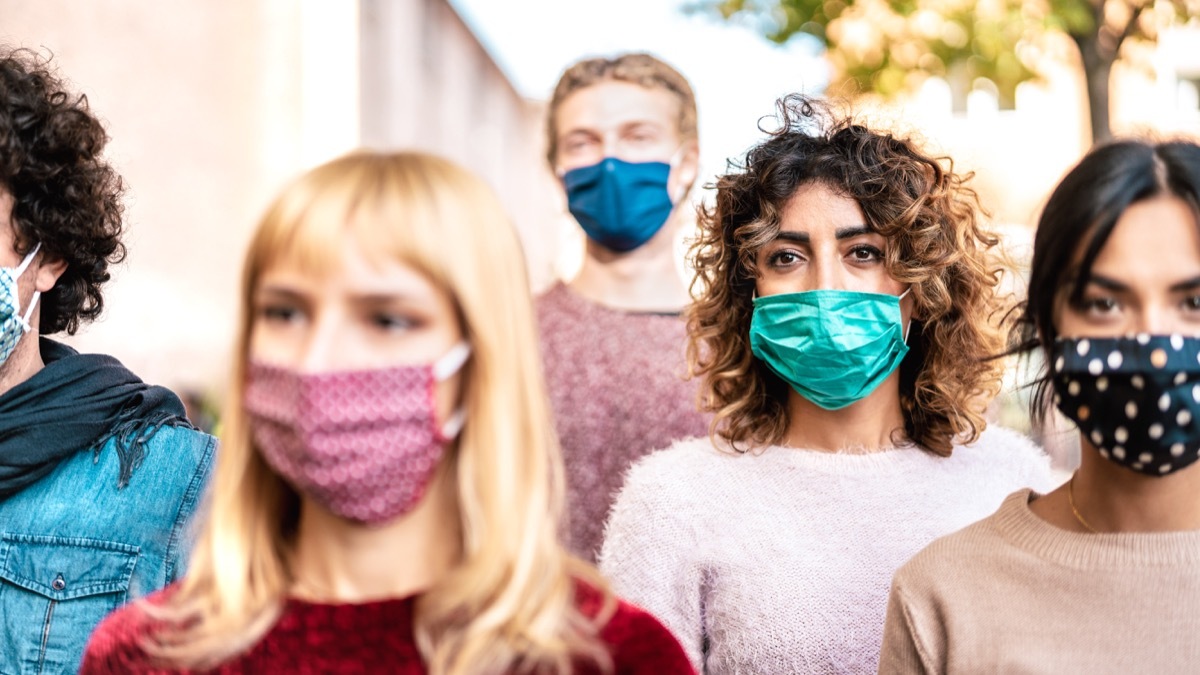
point(509, 605)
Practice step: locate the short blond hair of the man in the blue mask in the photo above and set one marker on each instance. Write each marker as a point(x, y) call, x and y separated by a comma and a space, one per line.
point(638, 69)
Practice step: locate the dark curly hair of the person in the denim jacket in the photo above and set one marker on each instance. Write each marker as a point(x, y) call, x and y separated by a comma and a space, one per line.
point(65, 196)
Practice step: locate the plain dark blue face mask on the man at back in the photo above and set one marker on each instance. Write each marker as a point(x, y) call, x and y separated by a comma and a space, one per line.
point(620, 205)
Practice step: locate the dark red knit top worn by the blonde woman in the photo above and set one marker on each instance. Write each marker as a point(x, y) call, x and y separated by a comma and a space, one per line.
point(374, 637)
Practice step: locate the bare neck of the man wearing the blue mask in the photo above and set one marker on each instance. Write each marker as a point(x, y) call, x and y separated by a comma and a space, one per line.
point(645, 279)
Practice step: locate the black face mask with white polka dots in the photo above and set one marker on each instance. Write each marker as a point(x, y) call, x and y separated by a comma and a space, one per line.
point(1137, 399)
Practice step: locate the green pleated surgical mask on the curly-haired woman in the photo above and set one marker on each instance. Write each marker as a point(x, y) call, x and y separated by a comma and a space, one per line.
point(835, 348)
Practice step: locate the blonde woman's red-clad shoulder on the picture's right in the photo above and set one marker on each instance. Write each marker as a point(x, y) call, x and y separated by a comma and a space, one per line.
point(637, 641)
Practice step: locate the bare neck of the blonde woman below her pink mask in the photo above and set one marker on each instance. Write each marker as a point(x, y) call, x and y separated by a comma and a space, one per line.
point(338, 560)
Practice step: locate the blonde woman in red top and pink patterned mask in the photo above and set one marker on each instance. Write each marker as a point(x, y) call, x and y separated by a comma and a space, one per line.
point(388, 491)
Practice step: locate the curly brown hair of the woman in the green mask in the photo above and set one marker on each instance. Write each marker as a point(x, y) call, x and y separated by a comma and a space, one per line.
point(935, 243)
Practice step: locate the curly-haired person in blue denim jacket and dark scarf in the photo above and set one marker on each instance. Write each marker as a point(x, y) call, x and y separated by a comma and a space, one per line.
point(100, 473)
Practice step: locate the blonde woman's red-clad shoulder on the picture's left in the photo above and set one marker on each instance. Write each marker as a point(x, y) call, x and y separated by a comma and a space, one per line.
point(116, 646)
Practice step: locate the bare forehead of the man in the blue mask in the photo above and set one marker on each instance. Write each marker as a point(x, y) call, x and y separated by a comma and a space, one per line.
point(613, 104)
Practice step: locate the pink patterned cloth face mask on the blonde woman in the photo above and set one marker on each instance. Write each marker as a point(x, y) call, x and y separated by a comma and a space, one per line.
point(362, 444)
